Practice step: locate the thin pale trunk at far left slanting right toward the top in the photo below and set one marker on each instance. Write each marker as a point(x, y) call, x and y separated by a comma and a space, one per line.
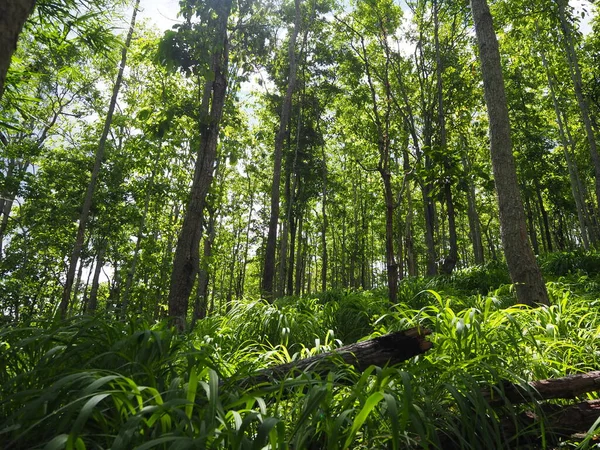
point(87, 202)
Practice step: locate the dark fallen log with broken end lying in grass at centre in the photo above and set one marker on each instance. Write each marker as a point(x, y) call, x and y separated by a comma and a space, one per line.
point(389, 350)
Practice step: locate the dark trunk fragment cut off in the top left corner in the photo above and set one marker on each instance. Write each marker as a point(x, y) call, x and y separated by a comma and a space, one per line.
point(13, 14)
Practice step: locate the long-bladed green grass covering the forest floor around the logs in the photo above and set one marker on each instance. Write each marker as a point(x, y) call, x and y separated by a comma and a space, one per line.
point(94, 384)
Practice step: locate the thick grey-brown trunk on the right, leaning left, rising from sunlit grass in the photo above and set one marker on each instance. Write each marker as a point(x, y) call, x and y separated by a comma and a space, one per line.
point(523, 268)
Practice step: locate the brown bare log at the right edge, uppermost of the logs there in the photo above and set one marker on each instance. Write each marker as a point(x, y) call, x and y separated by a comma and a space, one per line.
point(566, 387)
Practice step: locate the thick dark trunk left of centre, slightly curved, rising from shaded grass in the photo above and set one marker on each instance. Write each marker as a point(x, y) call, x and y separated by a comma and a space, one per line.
point(187, 252)
